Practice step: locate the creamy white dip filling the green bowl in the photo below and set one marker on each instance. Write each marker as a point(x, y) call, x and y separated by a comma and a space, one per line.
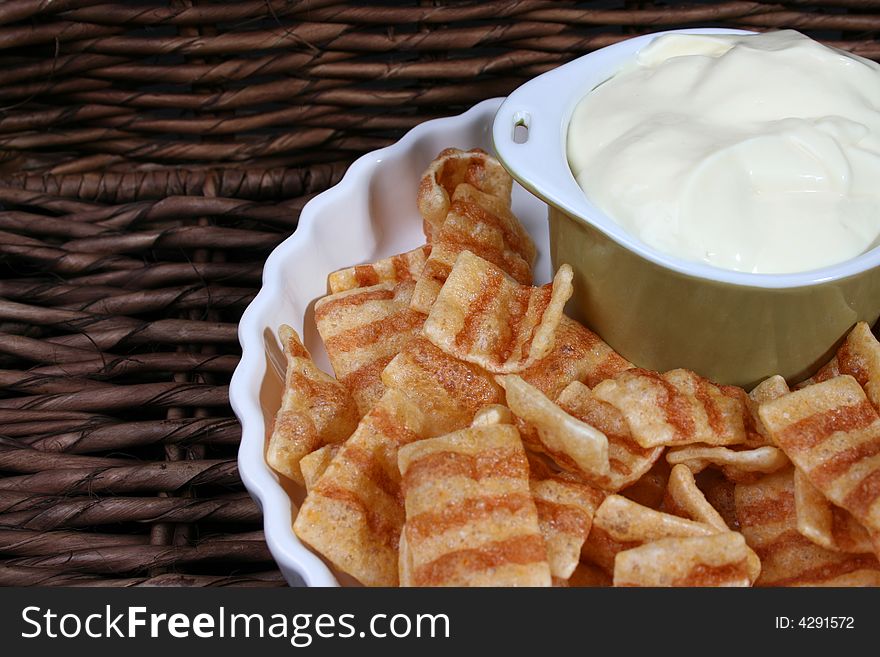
point(757, 153)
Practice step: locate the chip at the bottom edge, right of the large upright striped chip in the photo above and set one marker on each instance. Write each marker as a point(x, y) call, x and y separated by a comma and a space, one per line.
point(718, 560)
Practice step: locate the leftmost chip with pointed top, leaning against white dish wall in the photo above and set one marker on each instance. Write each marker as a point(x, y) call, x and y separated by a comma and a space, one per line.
point(315, 410)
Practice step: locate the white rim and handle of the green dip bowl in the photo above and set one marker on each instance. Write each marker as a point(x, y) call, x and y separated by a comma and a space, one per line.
point(545, 104)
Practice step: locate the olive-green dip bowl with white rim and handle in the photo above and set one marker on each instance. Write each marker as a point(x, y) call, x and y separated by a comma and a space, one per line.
point(658, 311)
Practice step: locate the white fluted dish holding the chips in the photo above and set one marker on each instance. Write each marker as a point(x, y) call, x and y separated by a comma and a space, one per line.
point(369, 215)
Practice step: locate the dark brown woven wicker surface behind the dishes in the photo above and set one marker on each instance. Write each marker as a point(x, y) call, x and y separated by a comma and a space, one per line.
point(152, 153)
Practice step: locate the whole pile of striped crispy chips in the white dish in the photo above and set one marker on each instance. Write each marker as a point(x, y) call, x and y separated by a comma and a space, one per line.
point(476, 436)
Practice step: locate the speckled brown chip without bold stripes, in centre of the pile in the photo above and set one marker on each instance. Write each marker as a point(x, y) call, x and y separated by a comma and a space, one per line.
point(449, 391)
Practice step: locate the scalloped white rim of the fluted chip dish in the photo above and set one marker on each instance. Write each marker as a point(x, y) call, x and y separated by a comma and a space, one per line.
point(262, 483)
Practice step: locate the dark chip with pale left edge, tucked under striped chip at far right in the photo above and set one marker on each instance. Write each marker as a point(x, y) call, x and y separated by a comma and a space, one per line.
point(827, 525)
